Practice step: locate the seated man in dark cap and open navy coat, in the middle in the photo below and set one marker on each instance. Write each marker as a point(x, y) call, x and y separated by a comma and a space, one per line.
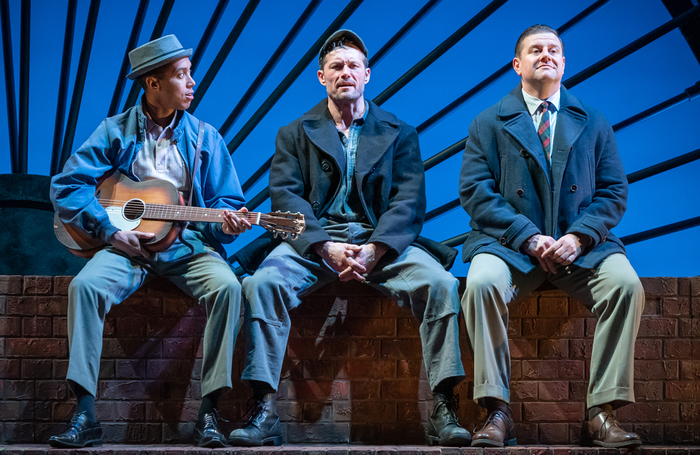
point(355, 172)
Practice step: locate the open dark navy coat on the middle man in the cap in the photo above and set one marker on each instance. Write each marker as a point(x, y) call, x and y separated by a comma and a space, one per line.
point(308, 169)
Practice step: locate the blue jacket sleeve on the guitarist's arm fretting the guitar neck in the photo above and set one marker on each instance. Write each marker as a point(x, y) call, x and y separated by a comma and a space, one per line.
point(220, 186)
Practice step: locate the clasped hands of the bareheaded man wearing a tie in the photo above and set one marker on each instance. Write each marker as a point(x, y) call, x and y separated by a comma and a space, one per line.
point(551, 253)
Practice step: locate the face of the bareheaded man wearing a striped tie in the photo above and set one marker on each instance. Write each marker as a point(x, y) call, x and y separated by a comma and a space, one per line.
point(541, 59)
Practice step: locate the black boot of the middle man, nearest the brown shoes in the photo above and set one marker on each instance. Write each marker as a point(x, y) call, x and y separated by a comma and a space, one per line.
point(444, 428)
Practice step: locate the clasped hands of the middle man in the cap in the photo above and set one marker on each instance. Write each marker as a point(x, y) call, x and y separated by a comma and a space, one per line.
point(352, 262)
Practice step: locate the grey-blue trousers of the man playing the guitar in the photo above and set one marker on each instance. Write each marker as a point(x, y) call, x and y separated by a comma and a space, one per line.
point(110, 277)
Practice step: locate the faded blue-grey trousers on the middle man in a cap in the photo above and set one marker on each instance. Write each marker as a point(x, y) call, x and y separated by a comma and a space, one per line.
point(414, 279)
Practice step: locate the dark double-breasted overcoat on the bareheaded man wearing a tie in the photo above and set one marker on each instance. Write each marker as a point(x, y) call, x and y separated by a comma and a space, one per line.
point(508, 192)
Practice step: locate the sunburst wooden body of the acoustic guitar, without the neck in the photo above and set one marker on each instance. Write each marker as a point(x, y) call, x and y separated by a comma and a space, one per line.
point(113, 193)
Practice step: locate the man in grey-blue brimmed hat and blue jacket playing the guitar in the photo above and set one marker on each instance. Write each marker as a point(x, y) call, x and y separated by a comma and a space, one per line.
point(156, 139)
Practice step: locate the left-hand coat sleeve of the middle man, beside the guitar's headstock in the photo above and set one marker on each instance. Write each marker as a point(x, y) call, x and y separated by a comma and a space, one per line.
point(287, 189)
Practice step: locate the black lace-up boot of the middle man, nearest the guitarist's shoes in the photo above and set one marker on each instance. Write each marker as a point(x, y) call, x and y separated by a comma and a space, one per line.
point(262, 427)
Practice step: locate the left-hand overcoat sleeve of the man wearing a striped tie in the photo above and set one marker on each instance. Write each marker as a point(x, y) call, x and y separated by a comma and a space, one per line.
point(479, 194)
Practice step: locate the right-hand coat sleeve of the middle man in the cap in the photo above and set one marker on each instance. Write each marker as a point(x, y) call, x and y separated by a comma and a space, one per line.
point(401, 223)
